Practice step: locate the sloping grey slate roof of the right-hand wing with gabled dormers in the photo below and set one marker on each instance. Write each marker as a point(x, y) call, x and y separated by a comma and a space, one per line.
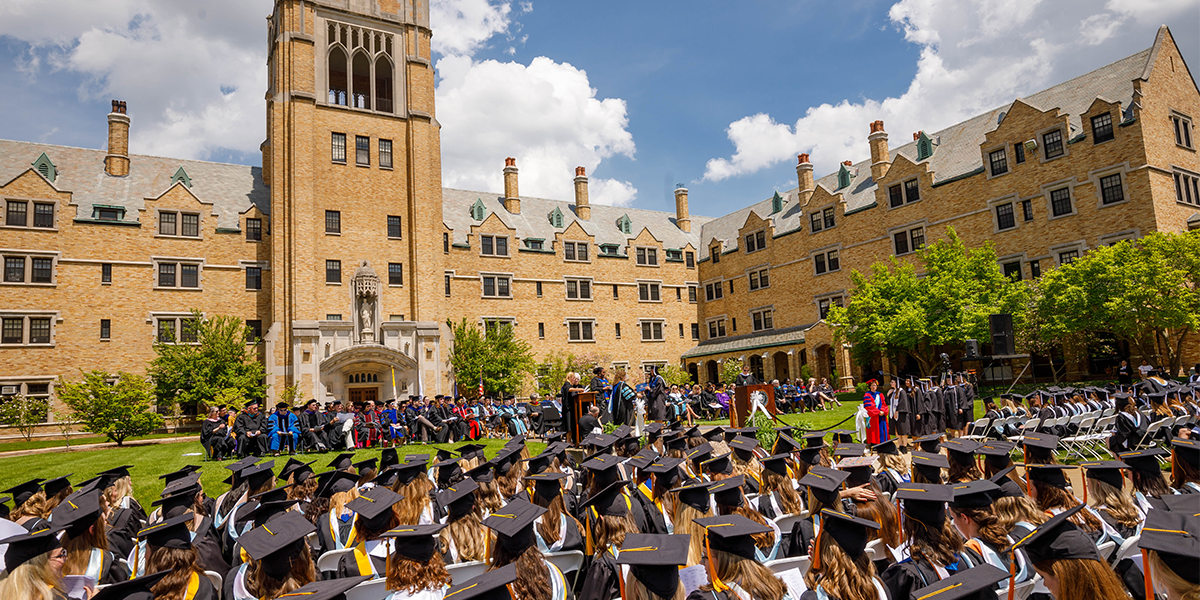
point(956, 152)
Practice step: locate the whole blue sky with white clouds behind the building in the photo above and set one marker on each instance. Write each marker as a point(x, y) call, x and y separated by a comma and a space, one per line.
point(646, 95)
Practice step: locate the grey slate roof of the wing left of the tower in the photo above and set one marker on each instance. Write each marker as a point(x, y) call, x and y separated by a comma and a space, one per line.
point(231, 189)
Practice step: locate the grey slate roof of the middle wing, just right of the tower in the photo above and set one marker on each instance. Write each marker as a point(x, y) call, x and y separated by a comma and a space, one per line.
point(533, 223)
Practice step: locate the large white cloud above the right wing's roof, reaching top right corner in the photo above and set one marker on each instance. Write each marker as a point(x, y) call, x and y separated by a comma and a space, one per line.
point(975, 56)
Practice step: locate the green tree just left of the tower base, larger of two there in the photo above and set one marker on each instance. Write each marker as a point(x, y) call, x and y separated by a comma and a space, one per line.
point(221, 359)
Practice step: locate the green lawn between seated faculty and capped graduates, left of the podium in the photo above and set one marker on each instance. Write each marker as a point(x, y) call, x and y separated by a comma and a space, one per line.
point(151, 461)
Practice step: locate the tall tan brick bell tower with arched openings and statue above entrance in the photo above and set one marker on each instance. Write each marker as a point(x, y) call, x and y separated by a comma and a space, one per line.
point(353, 163)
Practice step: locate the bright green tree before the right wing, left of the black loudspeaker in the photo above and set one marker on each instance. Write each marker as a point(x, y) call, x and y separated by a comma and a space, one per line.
point(893, 311)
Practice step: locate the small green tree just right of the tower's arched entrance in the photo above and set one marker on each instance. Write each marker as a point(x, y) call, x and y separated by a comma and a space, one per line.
point(497, 356)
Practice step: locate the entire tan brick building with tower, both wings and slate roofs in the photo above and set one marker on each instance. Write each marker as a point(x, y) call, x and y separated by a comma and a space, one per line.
point(347, 257)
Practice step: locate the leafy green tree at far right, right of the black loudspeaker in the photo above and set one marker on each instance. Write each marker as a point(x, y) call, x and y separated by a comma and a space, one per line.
point(1144, 292)
